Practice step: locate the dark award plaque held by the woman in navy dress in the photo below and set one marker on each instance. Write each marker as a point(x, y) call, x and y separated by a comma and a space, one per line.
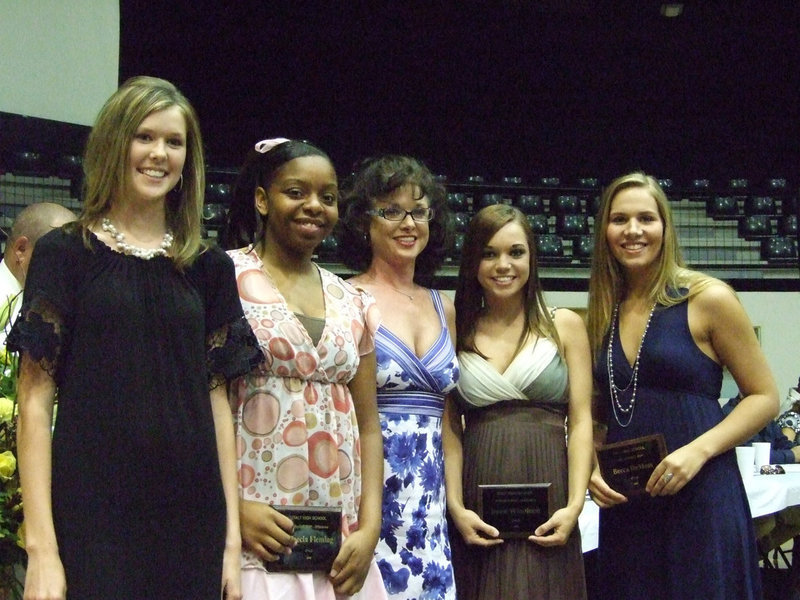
point(626, 466)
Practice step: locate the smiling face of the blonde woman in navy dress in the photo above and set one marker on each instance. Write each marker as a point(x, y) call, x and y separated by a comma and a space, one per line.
point(635, 232)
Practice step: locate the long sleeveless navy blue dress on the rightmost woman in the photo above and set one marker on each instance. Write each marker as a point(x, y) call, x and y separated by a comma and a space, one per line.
point(699, 543)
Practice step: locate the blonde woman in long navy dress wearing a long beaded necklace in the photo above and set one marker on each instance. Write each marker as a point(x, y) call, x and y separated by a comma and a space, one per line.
point(661, 335)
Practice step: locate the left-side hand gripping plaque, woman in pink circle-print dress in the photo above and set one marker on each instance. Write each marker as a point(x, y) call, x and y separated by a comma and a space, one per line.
point(265, 531)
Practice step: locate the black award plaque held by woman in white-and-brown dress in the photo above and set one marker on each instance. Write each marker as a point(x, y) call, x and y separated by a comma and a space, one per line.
point(515, 509)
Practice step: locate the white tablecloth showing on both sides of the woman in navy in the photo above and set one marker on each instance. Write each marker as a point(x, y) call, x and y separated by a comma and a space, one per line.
point(766, 494)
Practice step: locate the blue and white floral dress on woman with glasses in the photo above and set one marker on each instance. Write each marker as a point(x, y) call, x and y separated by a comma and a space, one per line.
point(414, 549)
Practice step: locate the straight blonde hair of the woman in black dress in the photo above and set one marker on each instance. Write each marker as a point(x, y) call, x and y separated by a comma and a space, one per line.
point(108, 151)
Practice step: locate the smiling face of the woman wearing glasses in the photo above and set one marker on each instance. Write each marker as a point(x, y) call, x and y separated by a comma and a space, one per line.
point(405, 239)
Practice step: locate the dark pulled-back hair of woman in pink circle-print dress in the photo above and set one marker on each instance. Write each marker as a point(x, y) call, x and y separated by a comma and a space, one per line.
point(243, 225)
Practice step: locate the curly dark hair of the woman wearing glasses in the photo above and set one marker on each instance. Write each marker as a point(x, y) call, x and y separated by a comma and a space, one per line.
point(376, 178)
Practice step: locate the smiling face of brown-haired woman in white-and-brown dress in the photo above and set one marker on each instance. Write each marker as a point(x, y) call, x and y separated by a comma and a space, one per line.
point(504, 268)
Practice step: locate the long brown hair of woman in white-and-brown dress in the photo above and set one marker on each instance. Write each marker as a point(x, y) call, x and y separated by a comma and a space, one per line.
point(469, 294)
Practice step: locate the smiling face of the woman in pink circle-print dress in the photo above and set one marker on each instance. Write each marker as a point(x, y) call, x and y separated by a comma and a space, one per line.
point(300, 203)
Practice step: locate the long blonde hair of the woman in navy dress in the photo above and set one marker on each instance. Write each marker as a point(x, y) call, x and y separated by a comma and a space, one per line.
point(671, 282)
